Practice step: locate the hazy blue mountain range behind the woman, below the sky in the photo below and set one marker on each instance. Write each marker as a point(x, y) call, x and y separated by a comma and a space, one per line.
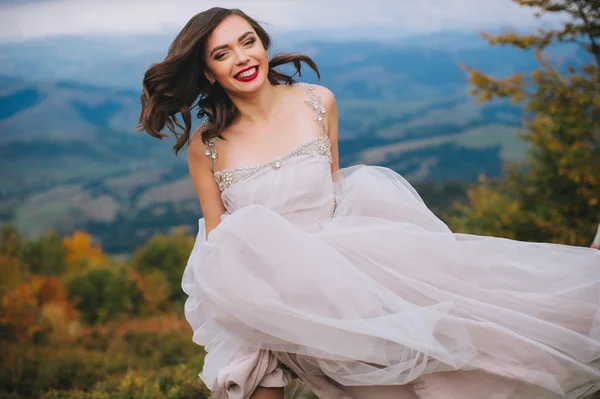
point(71, 158)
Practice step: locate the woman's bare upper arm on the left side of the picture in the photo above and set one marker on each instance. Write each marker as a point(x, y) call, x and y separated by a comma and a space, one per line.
point(204, 183)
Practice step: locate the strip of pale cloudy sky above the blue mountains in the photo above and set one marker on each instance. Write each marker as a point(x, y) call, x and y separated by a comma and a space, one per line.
point(33, 19)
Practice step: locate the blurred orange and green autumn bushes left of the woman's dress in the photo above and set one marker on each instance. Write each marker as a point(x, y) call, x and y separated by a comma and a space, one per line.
point(75, 323)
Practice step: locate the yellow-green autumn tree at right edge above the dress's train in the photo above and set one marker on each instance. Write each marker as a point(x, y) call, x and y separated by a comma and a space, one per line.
point(557, 189)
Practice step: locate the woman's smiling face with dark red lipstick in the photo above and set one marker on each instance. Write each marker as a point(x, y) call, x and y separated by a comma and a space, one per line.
point(235, 56)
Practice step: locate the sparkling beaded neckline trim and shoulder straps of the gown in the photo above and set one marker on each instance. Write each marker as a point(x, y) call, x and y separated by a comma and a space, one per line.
point(317, 146)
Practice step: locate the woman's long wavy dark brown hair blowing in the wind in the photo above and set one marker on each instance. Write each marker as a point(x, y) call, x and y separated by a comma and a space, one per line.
point(177, 84)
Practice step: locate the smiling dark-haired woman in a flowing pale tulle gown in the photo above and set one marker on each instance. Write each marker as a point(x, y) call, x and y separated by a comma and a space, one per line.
point(343, 277)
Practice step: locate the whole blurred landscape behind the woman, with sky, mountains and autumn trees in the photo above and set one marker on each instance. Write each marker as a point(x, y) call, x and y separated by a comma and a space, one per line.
point(489, 107)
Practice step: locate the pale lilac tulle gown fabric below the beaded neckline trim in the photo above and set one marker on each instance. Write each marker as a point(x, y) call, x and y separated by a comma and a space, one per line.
point(351, 282)
